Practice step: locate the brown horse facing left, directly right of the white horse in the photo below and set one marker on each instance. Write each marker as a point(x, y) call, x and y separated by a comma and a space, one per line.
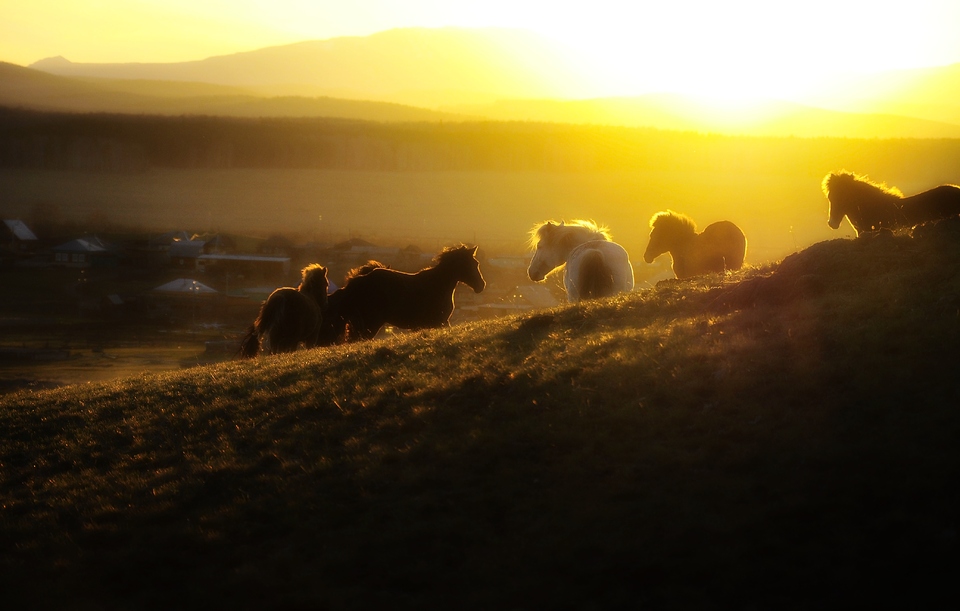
point(719, 247)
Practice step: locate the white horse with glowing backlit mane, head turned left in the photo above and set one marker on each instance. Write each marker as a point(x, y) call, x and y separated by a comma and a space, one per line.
point(595, 266)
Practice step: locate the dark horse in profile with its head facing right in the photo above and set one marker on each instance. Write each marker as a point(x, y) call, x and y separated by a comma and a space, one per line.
point(421, 300)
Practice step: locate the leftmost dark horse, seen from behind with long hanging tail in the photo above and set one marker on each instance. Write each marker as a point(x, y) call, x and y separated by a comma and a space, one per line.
point(290, 316)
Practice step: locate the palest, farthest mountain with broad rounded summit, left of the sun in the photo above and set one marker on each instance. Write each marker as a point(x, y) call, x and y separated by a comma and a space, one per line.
point(505, 63)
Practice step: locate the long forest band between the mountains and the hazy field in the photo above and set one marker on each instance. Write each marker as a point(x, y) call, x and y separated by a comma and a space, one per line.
point(103, 142)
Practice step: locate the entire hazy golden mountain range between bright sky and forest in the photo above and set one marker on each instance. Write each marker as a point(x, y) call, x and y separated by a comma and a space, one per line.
point(452, 74)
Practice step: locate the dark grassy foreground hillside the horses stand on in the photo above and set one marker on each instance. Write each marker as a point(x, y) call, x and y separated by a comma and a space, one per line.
point(780, 439)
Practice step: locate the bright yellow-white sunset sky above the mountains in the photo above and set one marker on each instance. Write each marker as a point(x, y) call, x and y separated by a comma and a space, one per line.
point(732, 46)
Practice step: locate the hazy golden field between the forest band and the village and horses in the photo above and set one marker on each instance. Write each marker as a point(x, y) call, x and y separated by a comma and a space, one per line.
point(493, 209)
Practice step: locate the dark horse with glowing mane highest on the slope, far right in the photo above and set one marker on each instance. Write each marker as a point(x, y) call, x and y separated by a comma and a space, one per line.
point(871, 206)
